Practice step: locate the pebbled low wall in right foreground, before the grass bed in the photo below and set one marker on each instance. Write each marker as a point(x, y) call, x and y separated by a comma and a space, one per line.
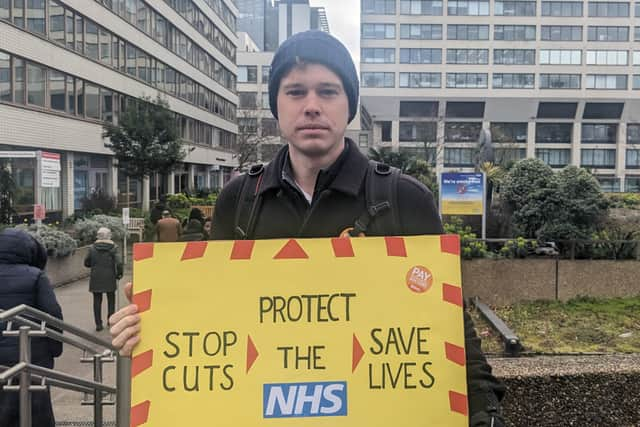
point(580, 391)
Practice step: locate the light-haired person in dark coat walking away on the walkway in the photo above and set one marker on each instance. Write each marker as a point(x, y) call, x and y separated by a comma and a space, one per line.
point(105, 263)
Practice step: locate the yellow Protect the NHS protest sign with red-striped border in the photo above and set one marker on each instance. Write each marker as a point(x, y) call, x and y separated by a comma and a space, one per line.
point(311, 332)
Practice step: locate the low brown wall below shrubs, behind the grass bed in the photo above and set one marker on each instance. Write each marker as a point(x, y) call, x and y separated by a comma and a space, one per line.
point(506, 281)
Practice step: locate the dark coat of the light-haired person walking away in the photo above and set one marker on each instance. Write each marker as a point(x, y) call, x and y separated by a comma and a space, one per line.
point(104, 261)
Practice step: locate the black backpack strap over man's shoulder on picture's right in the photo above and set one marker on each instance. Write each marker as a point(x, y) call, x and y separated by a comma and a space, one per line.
point(381, 198)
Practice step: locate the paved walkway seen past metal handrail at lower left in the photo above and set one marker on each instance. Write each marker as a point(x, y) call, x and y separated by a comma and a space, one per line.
point(77, 309)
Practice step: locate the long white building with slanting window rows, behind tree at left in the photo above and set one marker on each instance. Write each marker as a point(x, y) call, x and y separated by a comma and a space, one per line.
point(67, 66)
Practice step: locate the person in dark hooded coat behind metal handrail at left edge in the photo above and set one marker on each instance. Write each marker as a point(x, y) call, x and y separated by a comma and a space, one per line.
point(23, 281)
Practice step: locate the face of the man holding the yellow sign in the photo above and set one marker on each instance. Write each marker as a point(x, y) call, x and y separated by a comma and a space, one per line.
point(313, 110)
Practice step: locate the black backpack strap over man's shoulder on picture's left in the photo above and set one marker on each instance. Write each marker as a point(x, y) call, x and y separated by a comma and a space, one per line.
point(248, 202)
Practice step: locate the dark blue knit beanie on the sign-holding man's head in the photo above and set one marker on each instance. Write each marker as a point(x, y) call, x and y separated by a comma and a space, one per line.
point(315, 47)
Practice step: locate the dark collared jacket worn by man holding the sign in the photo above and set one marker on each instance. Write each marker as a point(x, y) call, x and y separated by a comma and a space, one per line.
point(338, 200)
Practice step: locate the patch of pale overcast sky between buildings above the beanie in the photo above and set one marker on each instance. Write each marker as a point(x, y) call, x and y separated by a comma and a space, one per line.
point(344, 20)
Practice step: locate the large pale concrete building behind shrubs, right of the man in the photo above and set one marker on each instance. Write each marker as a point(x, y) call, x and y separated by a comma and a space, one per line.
point(557, 80)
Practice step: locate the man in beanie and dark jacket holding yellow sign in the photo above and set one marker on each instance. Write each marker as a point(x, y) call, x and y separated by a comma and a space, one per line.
point(315, 186)
